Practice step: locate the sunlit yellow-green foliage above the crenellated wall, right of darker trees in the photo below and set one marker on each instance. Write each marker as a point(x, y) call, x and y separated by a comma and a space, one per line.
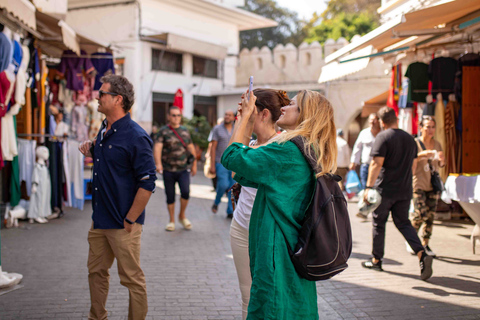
point(343, 24)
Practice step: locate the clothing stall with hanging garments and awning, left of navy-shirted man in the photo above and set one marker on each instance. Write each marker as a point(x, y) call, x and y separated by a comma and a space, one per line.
point(49, 84)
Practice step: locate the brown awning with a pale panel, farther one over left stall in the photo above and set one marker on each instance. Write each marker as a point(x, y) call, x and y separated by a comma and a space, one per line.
point(57, 36)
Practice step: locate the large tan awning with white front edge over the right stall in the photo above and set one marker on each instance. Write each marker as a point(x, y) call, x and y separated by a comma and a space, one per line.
point(438, 17)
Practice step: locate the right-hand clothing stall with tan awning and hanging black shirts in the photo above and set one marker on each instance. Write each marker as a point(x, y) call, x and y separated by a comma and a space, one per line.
point(433, 54)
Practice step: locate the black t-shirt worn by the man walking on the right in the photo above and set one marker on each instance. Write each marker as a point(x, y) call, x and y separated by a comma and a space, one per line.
point(399, 150)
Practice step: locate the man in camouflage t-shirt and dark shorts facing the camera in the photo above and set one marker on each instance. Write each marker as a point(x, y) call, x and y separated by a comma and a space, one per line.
point(173, 152)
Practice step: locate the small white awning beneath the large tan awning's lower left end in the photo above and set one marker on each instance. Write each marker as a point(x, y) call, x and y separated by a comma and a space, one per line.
point(336, 70)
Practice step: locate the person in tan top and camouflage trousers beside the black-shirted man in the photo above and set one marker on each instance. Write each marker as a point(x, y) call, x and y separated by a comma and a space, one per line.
point(425, 198)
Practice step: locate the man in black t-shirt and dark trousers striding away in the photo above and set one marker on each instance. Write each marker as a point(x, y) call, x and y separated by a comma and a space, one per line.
point(394, 160)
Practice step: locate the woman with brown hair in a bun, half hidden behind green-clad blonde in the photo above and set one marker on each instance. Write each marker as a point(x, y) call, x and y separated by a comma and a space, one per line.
point(269, 102)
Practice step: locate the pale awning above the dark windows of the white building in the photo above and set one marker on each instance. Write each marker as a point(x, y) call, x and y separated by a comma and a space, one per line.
point(184, 44)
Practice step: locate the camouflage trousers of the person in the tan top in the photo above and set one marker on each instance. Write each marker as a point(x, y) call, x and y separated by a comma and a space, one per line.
point(425, 203)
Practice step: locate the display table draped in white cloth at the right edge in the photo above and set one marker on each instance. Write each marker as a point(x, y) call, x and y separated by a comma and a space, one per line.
point(466, 190)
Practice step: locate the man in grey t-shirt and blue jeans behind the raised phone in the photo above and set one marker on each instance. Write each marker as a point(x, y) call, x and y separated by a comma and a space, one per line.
point(221, 135)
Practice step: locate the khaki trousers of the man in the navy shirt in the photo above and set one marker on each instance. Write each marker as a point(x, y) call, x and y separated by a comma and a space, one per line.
point(105, 246)
